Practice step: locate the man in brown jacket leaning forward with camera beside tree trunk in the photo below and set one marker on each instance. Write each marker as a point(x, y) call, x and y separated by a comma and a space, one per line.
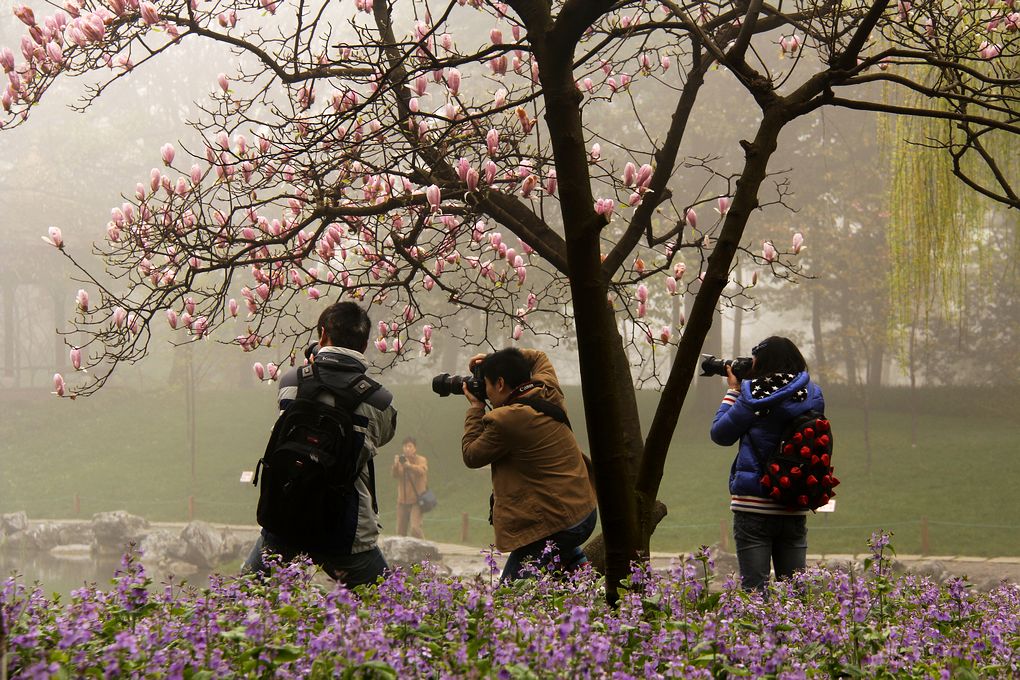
point(541, 487)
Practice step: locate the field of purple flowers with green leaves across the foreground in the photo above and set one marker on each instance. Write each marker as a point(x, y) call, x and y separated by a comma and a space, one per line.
point(864, 623)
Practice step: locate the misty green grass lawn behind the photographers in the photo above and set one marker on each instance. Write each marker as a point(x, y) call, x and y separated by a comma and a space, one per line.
point(128, 450)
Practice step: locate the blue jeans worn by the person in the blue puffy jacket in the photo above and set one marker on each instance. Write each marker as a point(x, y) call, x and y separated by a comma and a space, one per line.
point(780, 540)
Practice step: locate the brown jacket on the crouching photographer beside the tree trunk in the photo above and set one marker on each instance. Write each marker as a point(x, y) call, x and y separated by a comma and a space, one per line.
point(540, 481)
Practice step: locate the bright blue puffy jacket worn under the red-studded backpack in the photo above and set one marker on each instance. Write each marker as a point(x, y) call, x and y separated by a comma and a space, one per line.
point(738, 420)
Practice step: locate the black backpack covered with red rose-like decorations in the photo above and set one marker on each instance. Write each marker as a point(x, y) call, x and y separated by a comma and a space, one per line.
point(799, 472)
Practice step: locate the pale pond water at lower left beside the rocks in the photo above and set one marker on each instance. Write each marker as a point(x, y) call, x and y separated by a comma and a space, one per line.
point(64, 574)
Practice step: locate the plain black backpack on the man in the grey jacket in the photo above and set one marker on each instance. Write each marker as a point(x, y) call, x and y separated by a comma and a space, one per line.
point(313, 461)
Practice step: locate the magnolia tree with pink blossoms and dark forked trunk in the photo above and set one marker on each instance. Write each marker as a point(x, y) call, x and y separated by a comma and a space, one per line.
point(524, 159)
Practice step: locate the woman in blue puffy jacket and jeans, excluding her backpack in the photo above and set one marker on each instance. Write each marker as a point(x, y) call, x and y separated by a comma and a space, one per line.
point(756, 411)
